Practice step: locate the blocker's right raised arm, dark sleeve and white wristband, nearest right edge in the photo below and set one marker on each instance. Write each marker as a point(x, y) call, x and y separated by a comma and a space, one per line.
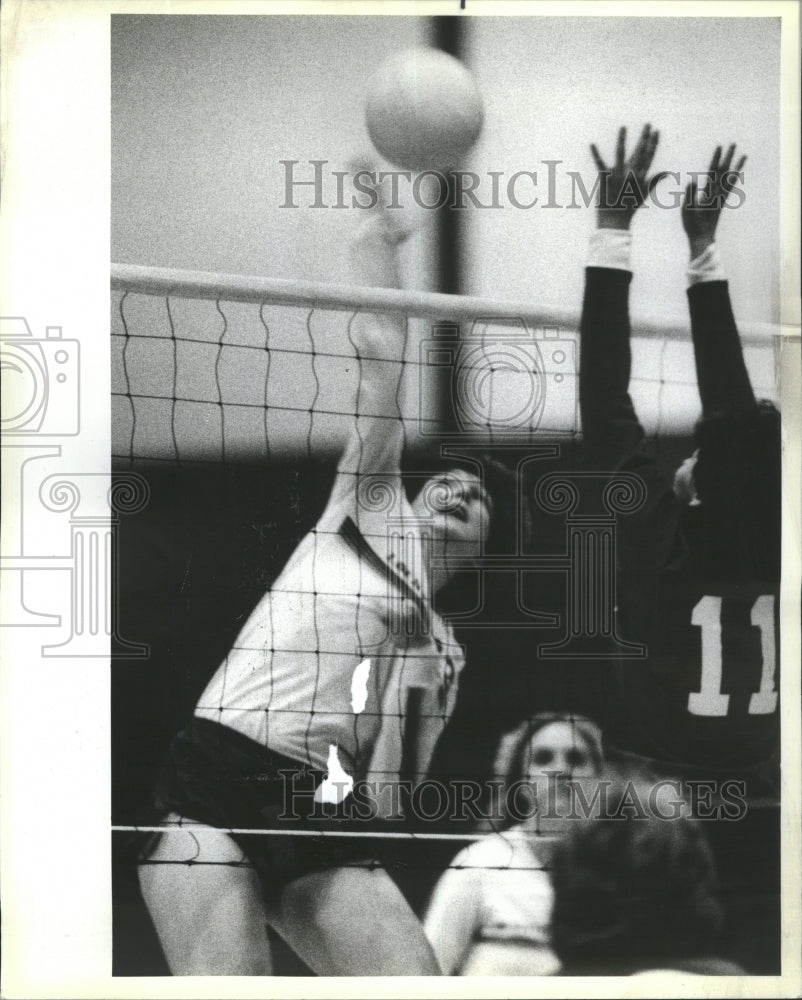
point(720, 369)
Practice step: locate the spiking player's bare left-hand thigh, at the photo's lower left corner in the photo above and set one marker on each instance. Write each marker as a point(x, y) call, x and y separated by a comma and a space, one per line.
point(209, 913)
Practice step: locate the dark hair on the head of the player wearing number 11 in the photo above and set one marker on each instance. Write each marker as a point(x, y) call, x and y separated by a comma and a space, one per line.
point(738, 481)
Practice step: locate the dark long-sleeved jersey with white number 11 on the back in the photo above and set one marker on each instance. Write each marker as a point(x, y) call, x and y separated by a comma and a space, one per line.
point(705, 696)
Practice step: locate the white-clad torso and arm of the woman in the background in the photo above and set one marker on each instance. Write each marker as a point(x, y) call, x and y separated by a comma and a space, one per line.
point(490, 912)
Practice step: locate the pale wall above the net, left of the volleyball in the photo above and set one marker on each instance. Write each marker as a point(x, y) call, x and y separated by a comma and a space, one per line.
point(203, 110)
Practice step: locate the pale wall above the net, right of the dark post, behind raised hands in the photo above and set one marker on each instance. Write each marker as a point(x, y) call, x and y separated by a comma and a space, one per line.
point(554, 85)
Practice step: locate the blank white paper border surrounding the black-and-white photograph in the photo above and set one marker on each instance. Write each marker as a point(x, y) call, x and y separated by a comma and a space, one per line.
point(55, 871)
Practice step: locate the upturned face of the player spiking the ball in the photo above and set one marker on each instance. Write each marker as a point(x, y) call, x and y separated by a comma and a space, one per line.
point(460, 509)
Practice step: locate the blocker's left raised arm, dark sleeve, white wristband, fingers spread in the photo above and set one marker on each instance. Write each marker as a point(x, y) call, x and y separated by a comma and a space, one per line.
point(610, 425)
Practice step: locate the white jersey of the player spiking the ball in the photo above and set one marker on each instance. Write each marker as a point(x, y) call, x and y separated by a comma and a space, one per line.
point(333, 656)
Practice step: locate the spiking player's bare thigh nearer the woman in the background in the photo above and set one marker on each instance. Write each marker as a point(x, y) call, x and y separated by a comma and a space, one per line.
point(354, 922)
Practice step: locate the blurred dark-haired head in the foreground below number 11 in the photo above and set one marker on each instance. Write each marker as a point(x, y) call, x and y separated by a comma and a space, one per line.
point(632, 892)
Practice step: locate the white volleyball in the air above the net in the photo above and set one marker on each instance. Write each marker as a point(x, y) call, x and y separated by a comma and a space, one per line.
point(423, 110)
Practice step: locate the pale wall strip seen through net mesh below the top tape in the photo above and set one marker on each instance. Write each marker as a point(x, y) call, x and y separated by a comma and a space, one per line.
point(227, 380)
